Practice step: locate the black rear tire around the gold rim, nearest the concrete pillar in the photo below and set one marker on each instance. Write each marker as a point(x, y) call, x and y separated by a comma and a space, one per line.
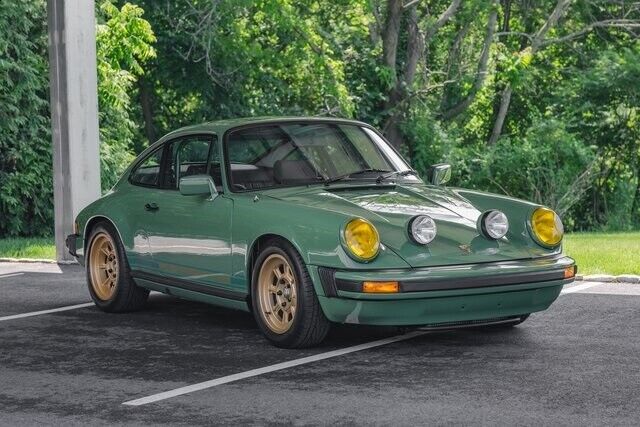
point(127, 296)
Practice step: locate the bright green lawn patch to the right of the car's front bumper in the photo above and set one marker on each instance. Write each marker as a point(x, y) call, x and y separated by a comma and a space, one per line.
point(604, 253)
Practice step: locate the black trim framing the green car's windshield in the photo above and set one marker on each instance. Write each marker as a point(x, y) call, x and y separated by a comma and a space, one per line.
point(227, 163)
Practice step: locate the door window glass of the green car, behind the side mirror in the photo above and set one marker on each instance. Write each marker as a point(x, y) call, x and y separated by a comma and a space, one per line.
point(188, 156)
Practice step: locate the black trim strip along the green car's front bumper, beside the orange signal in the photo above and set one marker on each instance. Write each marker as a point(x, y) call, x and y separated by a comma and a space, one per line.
point(441, 284)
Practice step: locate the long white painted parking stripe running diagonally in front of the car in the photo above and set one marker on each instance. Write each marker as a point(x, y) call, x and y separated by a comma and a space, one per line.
point(272, 368)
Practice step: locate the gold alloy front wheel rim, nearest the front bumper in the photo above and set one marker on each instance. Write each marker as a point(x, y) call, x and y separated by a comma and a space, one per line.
point(277, 293)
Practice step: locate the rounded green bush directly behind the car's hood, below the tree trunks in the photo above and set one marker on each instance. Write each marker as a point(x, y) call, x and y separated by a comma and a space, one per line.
point(549, 166)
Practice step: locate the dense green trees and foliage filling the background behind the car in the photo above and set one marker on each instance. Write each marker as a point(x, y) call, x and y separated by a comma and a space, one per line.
point(533, 98)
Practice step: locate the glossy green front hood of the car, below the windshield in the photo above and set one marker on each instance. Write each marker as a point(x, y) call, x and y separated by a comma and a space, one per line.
point(390, 207)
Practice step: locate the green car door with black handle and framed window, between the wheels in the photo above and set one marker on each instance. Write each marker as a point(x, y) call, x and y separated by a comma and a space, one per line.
point(190, 236)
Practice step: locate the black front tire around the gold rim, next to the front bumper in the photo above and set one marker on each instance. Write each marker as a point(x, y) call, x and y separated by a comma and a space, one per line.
point(309, 325)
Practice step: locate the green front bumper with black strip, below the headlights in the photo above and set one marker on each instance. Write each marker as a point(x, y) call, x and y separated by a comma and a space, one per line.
point(443, 294)
